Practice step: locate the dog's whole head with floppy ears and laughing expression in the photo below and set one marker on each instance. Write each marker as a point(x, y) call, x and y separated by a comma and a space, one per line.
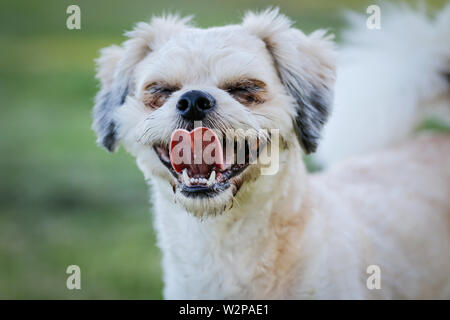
point(261, 74)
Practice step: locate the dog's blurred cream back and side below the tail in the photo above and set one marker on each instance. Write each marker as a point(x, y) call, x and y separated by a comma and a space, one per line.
point(399, 204)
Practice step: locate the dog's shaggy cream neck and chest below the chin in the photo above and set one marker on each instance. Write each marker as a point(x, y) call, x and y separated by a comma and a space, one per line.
point(215, 256)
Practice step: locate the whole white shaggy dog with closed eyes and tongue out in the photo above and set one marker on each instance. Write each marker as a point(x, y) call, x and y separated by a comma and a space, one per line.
point(290, 235)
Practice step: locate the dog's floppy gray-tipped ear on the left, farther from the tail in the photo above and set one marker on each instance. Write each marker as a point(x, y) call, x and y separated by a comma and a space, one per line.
point(115, 68)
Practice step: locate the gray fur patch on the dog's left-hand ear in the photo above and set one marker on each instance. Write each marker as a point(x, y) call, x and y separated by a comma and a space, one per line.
point(104, 125)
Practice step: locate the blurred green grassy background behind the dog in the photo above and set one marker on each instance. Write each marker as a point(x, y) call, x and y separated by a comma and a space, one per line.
point(63, 200)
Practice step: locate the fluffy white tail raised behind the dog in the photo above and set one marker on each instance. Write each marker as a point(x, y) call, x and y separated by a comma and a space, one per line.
point(388, 81)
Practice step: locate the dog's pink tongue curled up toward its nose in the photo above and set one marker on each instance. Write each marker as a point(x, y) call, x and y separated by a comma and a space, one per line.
point(199, 151)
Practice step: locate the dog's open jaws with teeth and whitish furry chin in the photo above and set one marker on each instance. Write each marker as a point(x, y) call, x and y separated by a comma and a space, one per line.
point(203, 196)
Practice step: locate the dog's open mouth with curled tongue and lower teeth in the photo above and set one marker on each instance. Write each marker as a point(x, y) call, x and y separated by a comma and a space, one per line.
point(202, 164)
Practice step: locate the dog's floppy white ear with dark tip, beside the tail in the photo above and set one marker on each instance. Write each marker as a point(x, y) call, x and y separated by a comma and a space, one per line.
point(306, 67)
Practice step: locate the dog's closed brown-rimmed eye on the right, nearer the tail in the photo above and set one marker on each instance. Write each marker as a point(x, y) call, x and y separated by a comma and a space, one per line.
point(248, 92)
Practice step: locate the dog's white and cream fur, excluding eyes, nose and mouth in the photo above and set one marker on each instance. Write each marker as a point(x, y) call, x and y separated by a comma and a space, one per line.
point(292, 235)
